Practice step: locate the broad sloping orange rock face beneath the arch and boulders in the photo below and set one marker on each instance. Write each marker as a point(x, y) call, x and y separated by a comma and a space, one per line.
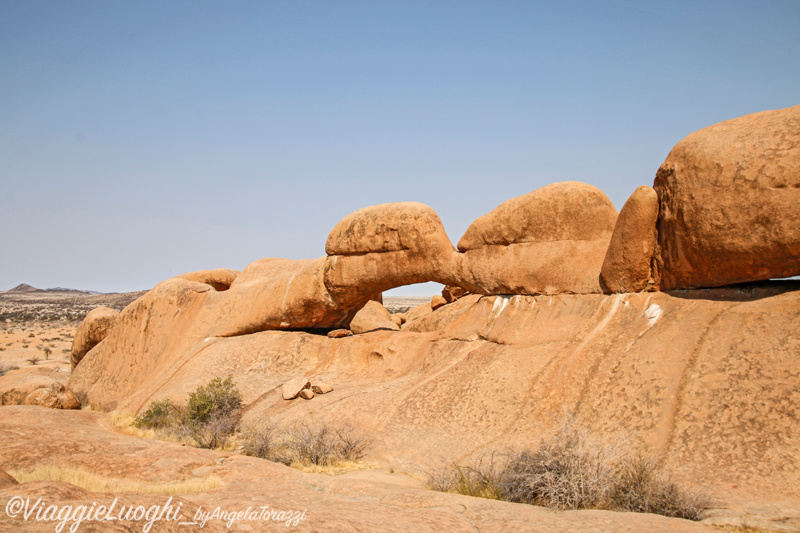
point(707, 378)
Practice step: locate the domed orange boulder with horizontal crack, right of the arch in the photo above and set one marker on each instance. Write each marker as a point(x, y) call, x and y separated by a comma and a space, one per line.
point(550, 241)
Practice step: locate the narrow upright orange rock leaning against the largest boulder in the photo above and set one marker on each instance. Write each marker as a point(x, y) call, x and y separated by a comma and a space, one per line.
point(627, 265)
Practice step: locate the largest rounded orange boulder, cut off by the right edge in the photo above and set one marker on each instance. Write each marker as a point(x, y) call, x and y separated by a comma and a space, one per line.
point(729, 197)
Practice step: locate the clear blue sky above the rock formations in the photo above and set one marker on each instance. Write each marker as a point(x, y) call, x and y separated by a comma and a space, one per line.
point(141, 139)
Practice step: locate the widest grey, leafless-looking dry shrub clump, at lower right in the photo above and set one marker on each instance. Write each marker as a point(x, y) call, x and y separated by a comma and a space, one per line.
point(569, 470)
